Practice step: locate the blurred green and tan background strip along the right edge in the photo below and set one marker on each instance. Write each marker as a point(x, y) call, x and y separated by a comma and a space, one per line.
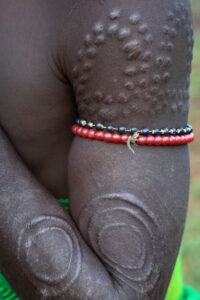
point(191, 239)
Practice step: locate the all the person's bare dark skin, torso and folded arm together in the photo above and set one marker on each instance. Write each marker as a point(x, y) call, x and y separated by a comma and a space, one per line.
point(118, 62)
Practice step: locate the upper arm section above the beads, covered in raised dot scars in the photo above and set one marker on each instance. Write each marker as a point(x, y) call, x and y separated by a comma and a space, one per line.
point(130, 61)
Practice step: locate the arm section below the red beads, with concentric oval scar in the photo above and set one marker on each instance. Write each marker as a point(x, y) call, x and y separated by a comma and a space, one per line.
point(131, 210)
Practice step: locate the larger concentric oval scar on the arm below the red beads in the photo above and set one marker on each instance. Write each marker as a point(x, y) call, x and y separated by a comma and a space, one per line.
point(127, 236)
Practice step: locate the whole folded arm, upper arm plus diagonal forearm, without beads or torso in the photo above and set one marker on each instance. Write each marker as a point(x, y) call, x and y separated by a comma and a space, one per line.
point(127, 67)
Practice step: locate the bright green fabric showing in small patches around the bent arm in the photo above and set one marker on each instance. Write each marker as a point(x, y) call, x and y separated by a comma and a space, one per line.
point(176, 291)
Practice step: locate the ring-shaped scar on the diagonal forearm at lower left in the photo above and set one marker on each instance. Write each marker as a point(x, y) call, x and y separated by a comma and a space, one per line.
point(50, 255)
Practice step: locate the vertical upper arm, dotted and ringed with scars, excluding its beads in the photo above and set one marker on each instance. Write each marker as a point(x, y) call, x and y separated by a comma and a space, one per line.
point(130, 70)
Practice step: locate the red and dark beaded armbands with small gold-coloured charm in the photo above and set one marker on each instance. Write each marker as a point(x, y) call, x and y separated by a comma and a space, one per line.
point(144, 136)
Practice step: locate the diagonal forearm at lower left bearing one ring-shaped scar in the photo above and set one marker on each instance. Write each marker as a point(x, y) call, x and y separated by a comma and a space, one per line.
point(41, 251)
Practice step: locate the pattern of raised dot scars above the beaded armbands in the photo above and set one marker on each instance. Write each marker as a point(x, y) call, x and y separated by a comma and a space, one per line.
point(147, 69)
